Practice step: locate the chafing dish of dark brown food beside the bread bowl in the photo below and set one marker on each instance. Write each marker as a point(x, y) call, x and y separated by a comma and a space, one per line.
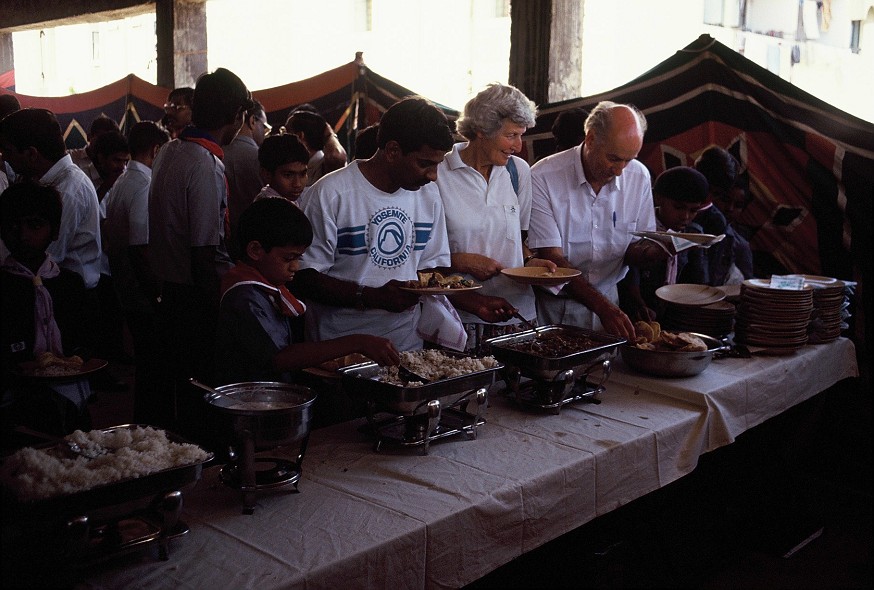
point(555, 379)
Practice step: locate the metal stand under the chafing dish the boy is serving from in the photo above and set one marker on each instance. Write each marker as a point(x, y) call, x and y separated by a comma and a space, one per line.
point(435, 423)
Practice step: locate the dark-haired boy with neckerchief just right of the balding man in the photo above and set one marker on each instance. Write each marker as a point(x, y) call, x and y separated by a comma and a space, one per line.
point(678, 194)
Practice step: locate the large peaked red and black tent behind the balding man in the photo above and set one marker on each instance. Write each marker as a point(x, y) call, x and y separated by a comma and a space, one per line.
point(810, 165)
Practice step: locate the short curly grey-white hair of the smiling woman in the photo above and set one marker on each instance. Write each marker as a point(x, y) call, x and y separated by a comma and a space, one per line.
point(485, 113)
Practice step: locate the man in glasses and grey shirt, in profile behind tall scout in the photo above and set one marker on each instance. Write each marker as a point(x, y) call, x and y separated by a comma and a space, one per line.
point(241, 164)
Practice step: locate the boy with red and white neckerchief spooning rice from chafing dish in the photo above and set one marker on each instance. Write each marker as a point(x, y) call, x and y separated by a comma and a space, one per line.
point(254, 341)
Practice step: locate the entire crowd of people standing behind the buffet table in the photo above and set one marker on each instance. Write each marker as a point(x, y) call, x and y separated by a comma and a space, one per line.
point(229, 251)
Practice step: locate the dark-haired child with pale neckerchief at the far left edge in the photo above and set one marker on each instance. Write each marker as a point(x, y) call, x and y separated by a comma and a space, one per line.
point(42, 307)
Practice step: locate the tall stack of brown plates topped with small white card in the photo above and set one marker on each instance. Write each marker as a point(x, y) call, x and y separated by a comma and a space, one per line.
point(771, 318)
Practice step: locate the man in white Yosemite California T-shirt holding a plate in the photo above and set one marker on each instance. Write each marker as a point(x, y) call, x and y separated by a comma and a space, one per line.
point(376, 223)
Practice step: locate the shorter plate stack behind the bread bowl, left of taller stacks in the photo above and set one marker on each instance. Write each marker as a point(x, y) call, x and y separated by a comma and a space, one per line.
point(696, 308)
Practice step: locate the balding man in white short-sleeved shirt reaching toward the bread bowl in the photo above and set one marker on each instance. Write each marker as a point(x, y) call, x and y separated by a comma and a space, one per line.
point(582, 216)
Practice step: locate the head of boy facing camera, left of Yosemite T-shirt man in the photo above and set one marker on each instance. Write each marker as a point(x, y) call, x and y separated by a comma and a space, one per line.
point(283, 160)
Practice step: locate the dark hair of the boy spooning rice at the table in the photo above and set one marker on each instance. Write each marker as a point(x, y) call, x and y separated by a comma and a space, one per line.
point(274, 222)
